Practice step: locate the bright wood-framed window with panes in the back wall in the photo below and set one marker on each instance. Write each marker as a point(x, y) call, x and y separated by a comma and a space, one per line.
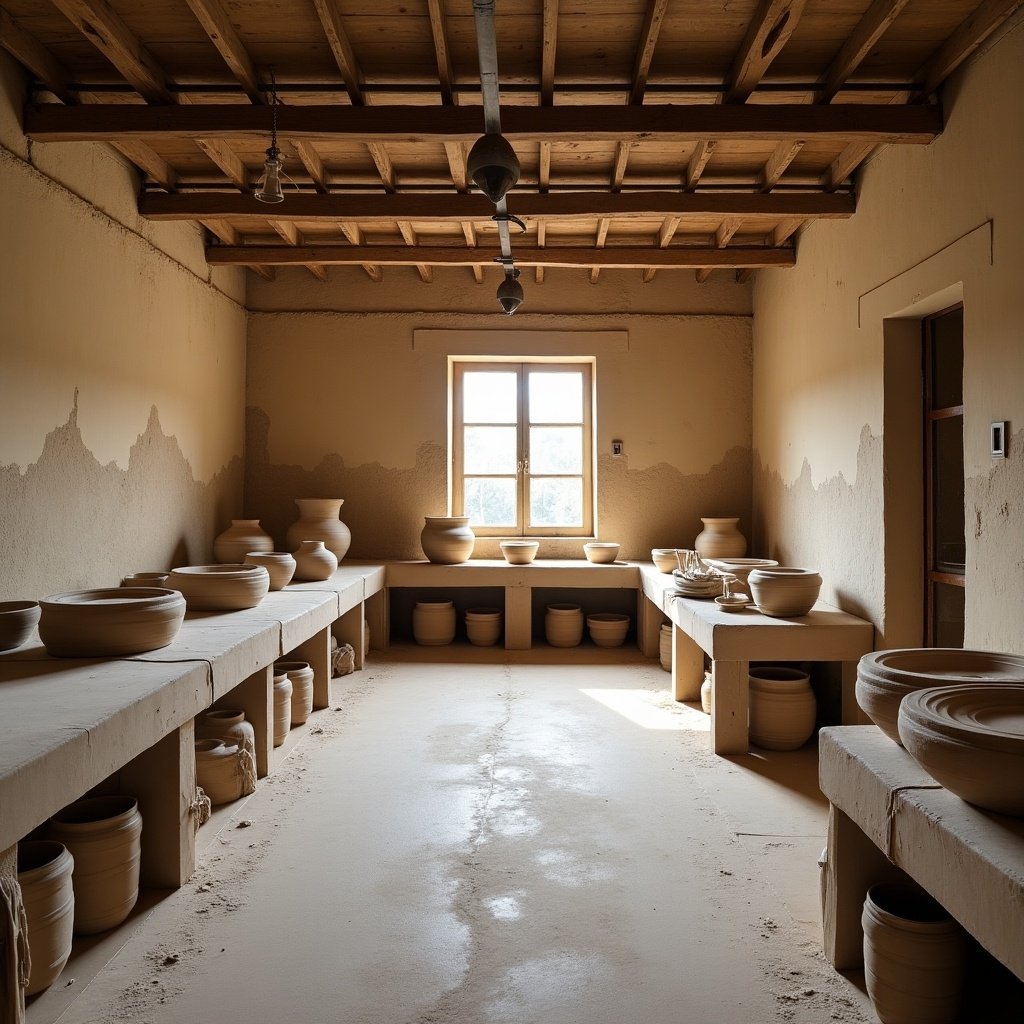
point(523, 448)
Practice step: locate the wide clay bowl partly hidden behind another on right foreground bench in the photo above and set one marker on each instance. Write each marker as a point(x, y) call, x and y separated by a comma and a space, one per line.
point(885, 677)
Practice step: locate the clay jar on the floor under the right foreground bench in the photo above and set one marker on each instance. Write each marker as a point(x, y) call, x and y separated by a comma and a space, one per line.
point(914, 957)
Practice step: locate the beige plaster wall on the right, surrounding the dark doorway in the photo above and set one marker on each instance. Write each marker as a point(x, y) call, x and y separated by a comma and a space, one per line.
point(835, 484)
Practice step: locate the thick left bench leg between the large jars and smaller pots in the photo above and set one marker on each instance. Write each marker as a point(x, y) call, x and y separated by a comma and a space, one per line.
point(163, 781)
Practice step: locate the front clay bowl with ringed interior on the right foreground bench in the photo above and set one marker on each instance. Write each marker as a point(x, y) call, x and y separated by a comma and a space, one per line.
point(970, 739)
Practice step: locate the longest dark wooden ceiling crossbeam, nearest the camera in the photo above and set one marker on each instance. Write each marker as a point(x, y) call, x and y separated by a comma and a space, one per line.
point(875, 123)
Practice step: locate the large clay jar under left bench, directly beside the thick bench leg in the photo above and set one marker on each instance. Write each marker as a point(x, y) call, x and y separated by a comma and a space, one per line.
point(104, 835)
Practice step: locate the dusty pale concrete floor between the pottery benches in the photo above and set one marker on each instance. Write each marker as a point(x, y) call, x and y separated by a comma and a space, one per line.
point(467, 839)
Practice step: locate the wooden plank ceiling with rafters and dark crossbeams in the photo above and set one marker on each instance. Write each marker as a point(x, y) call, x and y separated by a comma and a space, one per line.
point(653, 135)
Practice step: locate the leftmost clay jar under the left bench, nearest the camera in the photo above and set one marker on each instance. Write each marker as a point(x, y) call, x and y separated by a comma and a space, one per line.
point(45, 871)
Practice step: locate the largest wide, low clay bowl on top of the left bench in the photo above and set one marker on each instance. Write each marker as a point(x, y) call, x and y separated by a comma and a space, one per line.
point(110, 623)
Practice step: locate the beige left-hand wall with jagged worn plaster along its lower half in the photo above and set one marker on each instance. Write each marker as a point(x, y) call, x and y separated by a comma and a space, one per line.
point(123, 368)
